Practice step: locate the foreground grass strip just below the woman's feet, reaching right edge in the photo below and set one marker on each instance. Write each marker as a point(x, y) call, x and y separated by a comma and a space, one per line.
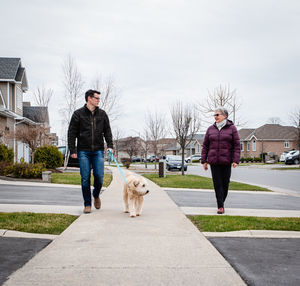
point(233, 223)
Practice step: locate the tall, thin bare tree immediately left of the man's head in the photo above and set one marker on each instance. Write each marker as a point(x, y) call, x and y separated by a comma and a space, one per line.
point(73, 84)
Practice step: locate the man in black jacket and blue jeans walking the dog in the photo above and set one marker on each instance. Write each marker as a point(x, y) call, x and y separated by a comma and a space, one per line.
point(88, 125)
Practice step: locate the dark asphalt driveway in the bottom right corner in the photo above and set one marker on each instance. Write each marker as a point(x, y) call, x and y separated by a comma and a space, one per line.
point(262, 261)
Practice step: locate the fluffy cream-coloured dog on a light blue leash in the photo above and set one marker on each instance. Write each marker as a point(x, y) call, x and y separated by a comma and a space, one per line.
point(134, 191)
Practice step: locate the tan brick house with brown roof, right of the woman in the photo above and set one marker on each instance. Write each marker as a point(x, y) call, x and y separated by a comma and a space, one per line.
point(267, 138)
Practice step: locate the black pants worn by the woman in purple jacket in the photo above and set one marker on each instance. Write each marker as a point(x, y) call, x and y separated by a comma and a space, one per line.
point(221, 178)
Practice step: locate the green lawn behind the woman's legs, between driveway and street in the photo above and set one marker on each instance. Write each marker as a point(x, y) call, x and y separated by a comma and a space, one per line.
point(196, 182)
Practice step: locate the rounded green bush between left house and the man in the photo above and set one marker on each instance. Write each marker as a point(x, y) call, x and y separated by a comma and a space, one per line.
point(49, 156)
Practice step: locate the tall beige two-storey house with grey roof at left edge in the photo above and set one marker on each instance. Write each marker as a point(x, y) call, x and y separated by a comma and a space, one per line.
point(13, 115)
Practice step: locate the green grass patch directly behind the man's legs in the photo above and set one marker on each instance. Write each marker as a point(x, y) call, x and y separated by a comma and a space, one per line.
point(75, 179)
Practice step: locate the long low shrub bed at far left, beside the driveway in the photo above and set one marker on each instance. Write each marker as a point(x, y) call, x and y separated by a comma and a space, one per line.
point(25, 170)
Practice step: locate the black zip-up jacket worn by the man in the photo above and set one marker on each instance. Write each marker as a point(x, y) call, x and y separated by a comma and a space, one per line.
point(89, 129)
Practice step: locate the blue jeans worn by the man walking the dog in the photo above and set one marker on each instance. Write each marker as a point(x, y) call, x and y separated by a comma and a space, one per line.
point(88, 160)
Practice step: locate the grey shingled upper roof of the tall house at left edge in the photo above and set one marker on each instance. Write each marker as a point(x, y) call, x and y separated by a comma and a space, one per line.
point(11, 70)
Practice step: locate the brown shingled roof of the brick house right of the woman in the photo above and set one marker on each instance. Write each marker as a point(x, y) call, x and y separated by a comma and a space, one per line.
point(272, 132)
